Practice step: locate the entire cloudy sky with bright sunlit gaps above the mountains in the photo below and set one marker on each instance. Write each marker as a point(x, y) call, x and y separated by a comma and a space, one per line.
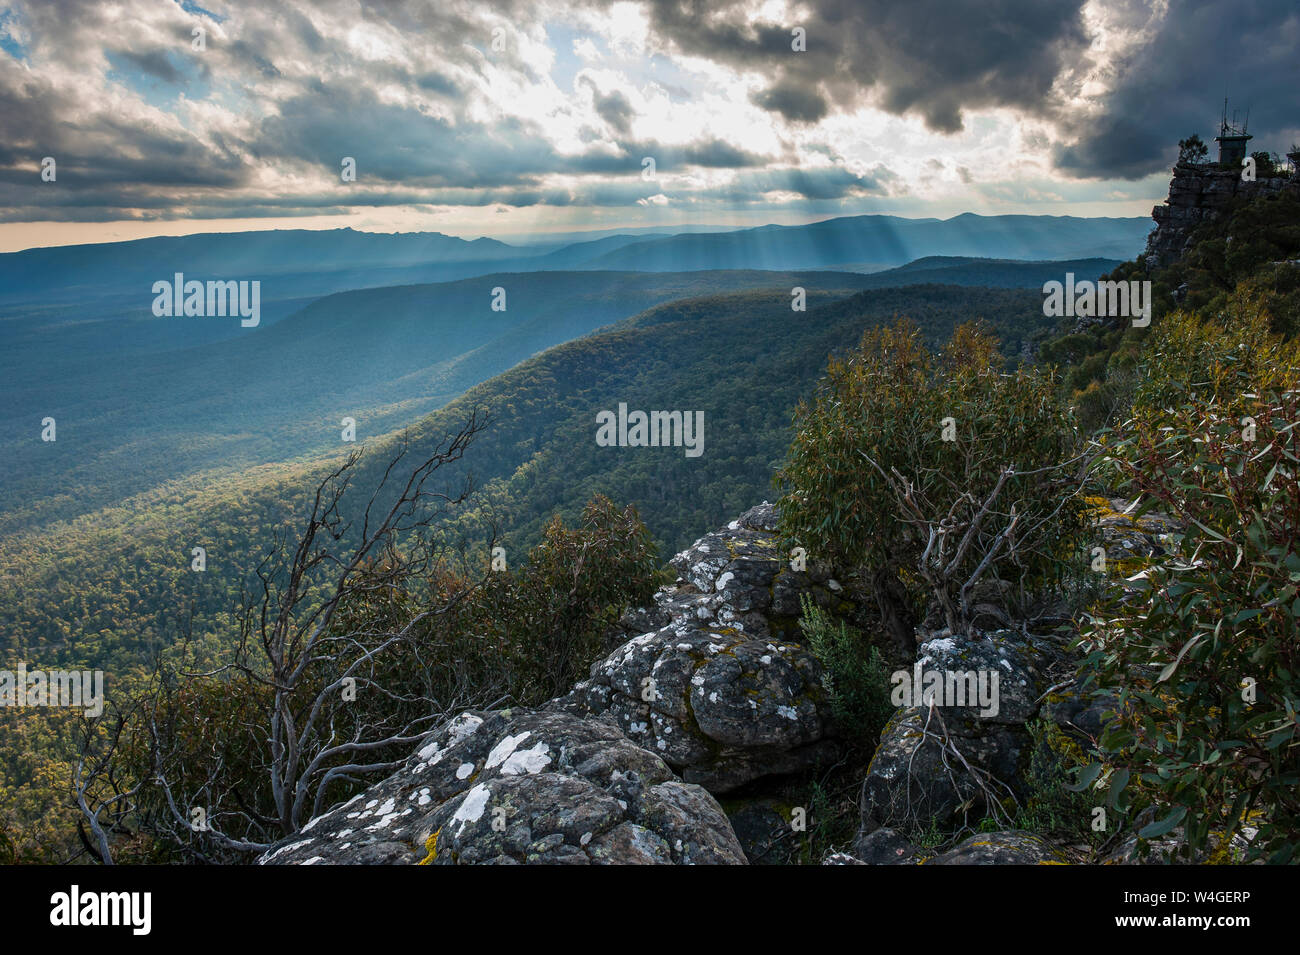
point(521, 119)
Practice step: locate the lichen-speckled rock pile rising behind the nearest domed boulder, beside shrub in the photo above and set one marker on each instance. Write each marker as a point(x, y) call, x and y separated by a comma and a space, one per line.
point(718, 688)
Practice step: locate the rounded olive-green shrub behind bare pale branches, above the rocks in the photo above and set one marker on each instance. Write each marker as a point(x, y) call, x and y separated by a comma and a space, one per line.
point(883, 410)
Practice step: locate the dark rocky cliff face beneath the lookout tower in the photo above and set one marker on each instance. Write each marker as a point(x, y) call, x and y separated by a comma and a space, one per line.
point(1199, 193)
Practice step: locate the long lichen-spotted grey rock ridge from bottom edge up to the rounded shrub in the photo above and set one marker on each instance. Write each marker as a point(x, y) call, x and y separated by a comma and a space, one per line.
point(707, 683)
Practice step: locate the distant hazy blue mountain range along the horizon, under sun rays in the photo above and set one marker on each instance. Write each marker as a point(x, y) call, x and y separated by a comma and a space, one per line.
point(301, 264)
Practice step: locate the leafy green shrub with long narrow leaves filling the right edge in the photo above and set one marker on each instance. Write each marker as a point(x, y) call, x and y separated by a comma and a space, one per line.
point(1216, 622)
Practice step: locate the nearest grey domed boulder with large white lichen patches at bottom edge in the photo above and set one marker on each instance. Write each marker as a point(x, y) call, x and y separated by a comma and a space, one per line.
point(522, 787)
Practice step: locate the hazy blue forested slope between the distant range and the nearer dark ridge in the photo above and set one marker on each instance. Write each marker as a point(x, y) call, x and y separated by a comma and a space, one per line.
point(135, 413)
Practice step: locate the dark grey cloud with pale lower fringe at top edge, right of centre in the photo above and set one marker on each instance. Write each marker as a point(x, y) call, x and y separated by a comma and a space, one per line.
point(931, 58)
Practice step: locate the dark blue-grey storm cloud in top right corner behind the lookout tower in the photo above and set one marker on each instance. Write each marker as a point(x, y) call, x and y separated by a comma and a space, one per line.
point(1177, 84)
